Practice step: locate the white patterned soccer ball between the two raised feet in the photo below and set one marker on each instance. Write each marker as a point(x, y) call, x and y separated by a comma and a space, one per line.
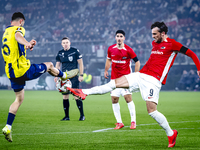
point(62, 85)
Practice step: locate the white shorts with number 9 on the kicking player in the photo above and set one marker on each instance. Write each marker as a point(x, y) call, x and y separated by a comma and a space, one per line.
point(148, 86)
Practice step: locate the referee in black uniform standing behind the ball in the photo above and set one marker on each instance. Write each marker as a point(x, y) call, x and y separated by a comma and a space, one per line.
point(70, 58)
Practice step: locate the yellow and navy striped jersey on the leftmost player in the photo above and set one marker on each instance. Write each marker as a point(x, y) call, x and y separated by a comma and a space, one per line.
point(14, 53)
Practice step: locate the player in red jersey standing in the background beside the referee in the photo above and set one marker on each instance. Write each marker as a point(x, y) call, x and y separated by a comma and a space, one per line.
point(120, 55)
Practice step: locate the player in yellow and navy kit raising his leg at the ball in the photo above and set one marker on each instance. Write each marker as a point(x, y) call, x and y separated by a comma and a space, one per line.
point(19, 69)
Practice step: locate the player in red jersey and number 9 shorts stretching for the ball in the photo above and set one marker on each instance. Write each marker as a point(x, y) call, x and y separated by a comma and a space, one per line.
point(151, 77)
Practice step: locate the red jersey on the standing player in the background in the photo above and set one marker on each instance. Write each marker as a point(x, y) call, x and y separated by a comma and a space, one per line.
point(121, 60)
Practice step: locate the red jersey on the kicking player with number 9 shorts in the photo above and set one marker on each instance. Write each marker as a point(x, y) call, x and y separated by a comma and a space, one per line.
point(161, 59)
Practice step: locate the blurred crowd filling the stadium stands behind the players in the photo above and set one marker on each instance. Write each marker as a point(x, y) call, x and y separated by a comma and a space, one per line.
point(91, 25)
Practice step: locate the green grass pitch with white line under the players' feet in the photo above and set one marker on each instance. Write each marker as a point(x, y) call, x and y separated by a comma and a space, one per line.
point(37, 124)
